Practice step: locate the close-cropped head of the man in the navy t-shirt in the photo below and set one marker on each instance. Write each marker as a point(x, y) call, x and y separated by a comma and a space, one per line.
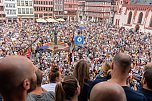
point(121, 65)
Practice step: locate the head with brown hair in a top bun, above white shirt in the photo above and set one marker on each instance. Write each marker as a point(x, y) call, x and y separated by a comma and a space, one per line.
point(55, 74)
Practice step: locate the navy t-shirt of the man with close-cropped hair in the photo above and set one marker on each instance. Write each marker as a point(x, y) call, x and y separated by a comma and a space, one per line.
point(133, 95)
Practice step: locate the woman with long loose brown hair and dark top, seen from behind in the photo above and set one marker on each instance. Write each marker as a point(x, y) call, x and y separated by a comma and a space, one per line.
point(81, 72)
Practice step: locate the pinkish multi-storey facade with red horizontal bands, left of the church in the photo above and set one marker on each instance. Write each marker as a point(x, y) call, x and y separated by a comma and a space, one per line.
point(98, 10)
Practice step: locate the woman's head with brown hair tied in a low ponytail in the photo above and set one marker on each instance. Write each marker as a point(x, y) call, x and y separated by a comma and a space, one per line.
point(68, 89)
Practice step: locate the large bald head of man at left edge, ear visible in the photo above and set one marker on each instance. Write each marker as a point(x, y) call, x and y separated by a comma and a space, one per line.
point(17, 78)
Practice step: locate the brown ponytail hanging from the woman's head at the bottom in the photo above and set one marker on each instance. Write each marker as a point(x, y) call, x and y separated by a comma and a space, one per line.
point(59, 93)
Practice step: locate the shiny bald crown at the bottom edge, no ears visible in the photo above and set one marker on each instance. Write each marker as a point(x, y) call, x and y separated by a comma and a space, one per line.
point(106, 91)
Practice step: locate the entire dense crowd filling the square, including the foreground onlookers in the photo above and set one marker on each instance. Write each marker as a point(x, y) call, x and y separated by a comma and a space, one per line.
point(114, 59)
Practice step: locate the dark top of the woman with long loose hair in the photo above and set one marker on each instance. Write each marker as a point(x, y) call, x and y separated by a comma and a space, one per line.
point(85, 92)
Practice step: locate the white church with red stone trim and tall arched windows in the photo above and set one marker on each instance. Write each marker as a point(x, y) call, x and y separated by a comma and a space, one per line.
point(132, 14)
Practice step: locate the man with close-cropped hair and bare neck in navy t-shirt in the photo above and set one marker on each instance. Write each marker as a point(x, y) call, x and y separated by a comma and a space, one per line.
point(121, 67)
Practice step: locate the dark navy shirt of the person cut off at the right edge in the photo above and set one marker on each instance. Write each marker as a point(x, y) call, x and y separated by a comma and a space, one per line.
point(147, 93)
